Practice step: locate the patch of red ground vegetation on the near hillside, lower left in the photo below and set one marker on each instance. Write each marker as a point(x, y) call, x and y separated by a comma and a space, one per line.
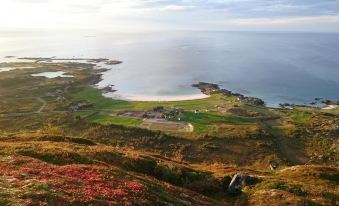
point(72, 184)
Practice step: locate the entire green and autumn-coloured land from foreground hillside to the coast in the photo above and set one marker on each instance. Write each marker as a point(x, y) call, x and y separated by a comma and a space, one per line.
point(63, 143)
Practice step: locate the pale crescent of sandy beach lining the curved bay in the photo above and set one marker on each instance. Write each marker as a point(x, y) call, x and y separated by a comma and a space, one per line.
point(150, 98)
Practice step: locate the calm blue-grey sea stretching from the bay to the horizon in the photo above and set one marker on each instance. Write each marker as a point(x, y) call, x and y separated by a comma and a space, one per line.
point(277, 67)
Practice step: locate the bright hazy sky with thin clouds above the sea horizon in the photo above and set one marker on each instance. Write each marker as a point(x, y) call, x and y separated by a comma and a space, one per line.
point(140, 15)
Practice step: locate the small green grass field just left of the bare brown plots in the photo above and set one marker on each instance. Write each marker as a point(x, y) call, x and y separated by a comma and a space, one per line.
point(116, 120)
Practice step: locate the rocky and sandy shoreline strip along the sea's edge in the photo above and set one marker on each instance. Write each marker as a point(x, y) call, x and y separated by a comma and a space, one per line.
point(207, 89)
